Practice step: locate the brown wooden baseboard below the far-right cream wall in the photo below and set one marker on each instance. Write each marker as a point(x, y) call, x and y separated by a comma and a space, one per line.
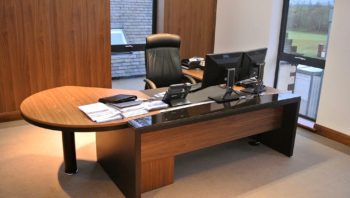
point(332, 134)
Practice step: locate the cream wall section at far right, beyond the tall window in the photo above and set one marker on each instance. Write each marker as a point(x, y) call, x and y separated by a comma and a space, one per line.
point(334, 108)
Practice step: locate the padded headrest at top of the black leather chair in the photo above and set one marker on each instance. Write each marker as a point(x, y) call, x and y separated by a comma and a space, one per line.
point(162, 40)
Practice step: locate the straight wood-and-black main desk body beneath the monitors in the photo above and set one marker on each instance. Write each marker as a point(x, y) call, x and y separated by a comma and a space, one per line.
point(141, 158)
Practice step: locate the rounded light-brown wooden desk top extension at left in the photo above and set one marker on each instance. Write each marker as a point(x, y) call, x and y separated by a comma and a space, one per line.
point(57, 108)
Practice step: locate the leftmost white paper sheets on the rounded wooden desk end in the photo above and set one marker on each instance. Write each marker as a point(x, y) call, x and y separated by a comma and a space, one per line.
point(99, 112)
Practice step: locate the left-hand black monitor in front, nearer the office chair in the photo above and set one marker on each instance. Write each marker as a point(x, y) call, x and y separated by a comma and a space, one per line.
point(216, 66)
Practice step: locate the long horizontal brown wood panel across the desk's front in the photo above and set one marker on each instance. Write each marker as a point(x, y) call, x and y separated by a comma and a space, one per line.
point(173, 141)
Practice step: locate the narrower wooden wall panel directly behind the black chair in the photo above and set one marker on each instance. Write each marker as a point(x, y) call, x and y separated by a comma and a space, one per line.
point(194, 21)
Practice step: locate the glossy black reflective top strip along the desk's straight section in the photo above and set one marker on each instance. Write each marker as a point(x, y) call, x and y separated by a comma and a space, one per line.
point(203, 108)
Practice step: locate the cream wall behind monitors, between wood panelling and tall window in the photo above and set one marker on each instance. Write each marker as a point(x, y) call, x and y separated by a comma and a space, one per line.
point(249, 24)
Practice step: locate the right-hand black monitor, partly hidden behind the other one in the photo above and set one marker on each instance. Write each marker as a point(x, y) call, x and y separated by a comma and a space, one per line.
point(250, 63)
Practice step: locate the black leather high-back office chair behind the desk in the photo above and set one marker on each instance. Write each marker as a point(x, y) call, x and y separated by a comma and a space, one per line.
point(163, 66)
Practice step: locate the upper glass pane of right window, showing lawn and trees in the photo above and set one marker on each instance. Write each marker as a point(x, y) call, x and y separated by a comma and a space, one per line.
point(307, 27)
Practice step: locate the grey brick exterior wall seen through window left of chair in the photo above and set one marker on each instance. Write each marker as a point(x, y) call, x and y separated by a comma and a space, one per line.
point(134, 17)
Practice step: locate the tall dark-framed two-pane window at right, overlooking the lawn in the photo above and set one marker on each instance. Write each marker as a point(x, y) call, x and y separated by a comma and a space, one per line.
point(303, 50)
